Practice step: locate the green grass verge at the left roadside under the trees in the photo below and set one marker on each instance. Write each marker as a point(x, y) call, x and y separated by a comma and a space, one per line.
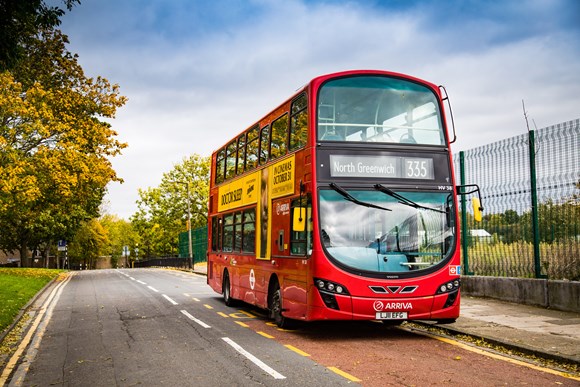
point(17, 287)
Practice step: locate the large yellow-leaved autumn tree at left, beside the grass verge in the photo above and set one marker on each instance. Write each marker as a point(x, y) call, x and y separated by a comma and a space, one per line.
point(54, 146)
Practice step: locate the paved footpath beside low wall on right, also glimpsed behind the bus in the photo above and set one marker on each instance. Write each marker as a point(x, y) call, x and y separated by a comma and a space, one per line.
point(546, 333)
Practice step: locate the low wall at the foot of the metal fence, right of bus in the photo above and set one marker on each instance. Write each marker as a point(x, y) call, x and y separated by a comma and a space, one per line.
point(560, 295)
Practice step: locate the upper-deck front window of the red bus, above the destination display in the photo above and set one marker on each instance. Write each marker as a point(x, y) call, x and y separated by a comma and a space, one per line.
point(378, 109)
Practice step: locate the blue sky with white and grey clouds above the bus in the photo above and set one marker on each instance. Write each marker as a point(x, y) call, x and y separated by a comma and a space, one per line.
point(197, 72)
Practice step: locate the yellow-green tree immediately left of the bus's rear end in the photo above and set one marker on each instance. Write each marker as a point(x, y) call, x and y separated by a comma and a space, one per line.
point(162, 211)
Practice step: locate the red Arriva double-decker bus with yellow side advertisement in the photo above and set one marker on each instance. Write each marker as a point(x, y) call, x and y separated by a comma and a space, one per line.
point(340, 204)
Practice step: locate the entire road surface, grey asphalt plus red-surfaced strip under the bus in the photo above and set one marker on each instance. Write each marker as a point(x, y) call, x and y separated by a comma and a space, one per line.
point(156, 327)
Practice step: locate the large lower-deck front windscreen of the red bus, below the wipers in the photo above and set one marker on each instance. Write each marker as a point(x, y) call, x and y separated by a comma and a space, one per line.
point(385, 231)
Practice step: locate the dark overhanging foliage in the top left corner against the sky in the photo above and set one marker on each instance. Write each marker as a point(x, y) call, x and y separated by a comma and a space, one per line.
point(20, 21)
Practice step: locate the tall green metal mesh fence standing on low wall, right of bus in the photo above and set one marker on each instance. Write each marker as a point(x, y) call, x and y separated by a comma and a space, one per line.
point(530, 186)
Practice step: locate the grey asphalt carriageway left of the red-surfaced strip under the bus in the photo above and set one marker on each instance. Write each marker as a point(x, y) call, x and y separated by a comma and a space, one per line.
point(156, 327)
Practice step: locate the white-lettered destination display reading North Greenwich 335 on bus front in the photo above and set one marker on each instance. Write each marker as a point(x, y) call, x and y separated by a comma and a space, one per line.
point(395, 167)
